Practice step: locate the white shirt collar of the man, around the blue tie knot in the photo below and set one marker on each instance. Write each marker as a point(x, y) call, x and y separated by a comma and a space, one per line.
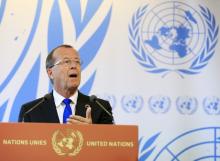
point(58, 99)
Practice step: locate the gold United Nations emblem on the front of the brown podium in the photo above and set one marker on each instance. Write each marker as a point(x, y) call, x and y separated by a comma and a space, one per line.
point(67, 142)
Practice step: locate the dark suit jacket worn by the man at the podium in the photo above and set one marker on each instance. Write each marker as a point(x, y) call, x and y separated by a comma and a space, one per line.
point(46, 111)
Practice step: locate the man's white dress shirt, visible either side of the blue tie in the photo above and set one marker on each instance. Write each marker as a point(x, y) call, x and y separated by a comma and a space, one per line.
point(60, 106)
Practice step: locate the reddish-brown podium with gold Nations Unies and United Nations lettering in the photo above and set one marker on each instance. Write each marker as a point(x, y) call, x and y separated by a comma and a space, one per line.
point(56, 142)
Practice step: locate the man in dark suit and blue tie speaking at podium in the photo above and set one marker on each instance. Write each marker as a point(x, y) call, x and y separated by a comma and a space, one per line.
point(65, 104)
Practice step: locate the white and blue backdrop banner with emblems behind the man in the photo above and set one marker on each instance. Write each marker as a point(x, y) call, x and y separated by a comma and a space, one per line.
point(156, 61)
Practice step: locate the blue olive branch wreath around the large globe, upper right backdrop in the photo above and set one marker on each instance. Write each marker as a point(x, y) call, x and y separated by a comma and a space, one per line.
point(145, 60)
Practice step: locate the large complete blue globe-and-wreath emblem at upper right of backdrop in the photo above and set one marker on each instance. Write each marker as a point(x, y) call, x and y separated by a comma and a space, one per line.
point(173, 37)
